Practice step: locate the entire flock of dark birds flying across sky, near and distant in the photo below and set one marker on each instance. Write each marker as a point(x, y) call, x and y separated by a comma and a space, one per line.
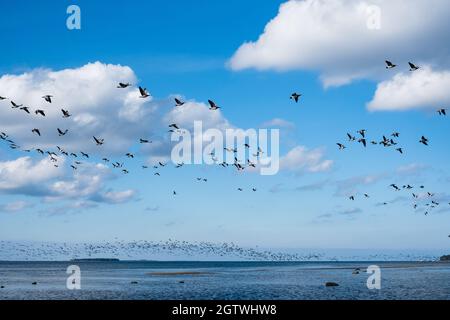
point(360, 137)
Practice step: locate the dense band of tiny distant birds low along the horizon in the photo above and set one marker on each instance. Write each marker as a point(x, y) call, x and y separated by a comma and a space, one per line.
point(129, 250)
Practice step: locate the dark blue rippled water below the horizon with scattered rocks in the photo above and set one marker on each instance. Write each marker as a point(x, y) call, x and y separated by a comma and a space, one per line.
point(224, 280)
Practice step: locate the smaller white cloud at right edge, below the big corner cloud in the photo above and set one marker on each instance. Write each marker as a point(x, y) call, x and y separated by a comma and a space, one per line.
point(424, 88)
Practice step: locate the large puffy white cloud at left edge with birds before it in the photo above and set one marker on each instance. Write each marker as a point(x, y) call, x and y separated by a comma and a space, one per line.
point(90, 94)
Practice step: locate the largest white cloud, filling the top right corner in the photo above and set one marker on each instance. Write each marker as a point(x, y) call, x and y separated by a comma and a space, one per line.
point(332, 37)
